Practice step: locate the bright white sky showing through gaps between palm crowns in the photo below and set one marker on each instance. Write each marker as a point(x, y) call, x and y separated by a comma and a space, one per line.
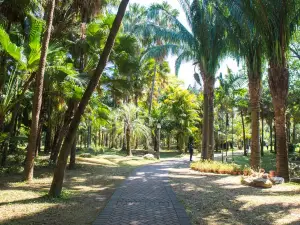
point(186, 71)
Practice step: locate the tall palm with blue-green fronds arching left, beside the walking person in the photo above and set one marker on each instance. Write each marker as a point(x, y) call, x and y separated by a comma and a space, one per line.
point(202, 42)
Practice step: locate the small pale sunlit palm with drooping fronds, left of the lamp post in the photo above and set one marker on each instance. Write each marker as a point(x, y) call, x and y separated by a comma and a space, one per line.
point(133, 124)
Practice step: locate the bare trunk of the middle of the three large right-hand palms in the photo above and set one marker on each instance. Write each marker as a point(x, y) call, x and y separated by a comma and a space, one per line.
point(254, 92)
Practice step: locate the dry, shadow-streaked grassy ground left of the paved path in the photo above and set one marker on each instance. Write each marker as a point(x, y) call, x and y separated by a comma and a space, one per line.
point(86, 191)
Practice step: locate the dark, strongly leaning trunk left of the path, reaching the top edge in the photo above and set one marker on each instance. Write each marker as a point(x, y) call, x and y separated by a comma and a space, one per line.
point(59, 171)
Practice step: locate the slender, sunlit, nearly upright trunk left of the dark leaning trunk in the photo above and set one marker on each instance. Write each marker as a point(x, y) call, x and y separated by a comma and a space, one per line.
point(37, 101)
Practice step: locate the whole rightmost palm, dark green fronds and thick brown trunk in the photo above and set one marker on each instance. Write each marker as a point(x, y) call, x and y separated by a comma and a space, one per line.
point(275, 20)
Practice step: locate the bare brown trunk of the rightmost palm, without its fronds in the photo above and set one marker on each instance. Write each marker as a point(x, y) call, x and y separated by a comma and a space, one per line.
point(278, 82)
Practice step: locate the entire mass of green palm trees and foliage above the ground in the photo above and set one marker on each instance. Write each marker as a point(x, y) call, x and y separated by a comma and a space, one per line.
point(123, 104)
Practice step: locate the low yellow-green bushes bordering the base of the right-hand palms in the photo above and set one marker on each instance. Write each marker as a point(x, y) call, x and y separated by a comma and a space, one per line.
point(220, 168)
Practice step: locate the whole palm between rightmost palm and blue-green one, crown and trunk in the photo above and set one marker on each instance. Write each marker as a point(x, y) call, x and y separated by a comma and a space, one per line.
point(247, 43)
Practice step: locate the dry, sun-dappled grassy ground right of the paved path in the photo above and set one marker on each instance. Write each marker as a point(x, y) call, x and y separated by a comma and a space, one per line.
point(220, 200)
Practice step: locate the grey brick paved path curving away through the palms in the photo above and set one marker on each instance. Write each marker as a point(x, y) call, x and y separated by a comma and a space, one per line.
point(145, 198)
